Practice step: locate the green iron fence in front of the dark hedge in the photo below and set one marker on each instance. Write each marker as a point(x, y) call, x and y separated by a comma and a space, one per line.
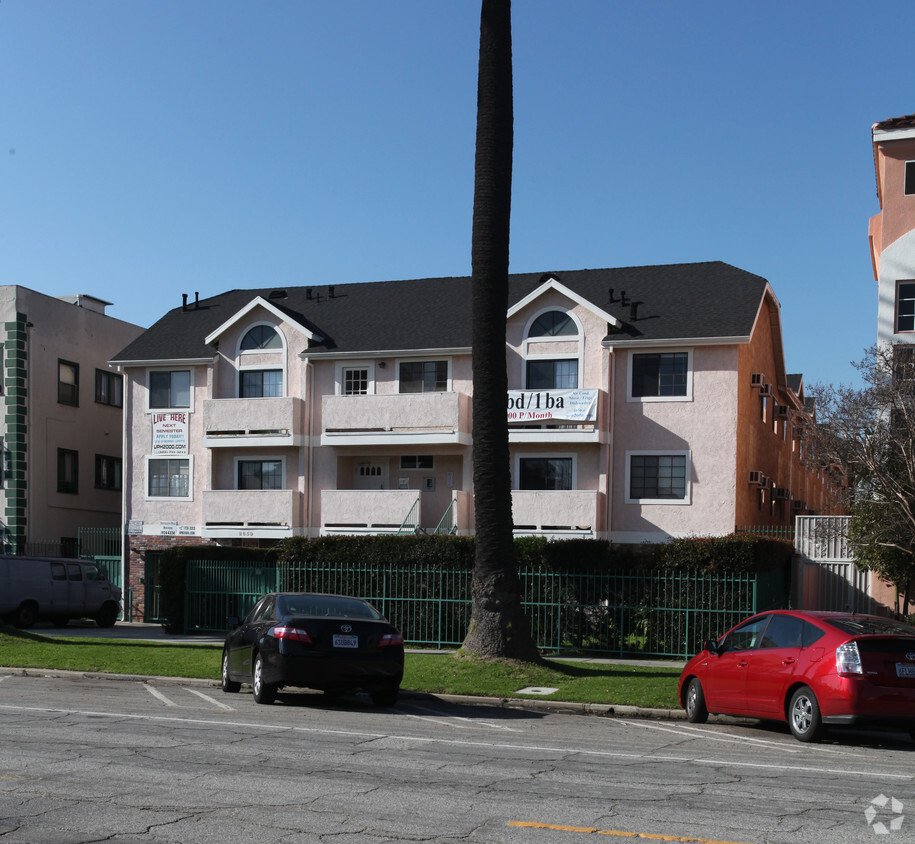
point(649, 613)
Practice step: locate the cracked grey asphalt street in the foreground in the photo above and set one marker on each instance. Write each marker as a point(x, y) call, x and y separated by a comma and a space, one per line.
point(87, 759)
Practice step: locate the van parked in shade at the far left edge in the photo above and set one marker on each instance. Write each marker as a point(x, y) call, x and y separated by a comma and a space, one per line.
point(57, 589)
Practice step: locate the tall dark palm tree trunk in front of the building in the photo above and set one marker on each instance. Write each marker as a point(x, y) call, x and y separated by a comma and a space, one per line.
point(498, 626)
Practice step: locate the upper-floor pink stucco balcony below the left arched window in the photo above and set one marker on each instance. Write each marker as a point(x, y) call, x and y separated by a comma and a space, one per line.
point(242, 423)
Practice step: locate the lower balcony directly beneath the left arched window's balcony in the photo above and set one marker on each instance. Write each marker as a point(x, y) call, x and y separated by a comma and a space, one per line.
point(252, 512)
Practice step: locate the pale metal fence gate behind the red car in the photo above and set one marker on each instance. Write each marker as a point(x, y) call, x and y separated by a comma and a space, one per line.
point(824, 574)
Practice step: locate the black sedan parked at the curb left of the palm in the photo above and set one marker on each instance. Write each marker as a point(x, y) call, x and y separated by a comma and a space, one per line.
point(333, 643)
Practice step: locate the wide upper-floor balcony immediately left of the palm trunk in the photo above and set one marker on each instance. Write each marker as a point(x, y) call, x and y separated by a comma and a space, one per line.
point(410, 419)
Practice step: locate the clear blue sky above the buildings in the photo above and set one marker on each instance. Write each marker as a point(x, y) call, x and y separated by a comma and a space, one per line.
point(150, 149)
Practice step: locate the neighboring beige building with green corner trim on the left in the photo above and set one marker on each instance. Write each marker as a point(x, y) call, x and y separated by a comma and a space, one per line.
point(62, 423)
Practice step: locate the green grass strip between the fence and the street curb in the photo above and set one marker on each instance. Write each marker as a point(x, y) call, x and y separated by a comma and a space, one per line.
point(577, 682)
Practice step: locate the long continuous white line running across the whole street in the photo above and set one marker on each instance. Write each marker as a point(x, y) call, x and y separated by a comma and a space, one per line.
point(491, 745)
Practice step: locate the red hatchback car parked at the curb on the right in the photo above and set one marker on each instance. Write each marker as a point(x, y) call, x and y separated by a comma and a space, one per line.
point(811, 669)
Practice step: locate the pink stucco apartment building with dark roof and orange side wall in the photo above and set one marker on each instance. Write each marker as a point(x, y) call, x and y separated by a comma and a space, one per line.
point(643, 403)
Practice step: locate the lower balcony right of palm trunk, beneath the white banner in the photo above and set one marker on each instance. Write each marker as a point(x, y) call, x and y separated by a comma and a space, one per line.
point(558, 513)
